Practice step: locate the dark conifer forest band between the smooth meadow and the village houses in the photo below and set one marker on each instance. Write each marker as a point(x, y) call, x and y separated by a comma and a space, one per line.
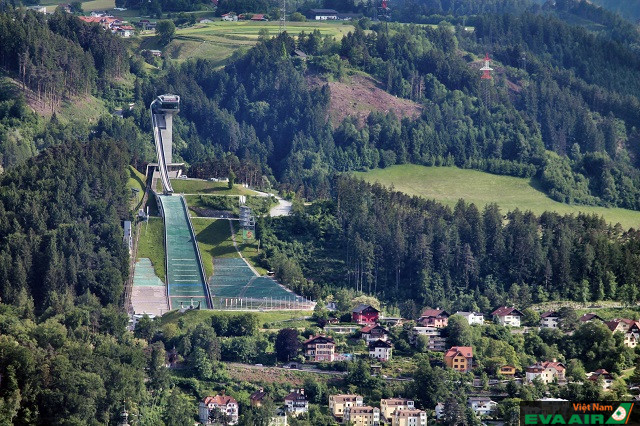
point(420, 253)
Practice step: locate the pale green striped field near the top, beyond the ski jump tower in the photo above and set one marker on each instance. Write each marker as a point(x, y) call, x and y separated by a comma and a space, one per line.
point(220, 39)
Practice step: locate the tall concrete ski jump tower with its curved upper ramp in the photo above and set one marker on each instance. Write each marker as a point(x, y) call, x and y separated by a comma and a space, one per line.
point(163, 108)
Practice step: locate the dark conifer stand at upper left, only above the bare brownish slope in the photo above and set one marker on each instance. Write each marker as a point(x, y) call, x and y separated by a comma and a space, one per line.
point(84, 54)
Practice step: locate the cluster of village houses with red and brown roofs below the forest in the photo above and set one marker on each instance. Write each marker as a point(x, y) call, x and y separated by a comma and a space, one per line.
point(430, 332)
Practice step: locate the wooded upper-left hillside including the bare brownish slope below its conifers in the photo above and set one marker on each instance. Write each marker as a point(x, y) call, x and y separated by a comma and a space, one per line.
point(47, 61)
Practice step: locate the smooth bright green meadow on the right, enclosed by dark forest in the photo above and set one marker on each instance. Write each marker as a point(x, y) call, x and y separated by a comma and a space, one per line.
point(449, 184)
